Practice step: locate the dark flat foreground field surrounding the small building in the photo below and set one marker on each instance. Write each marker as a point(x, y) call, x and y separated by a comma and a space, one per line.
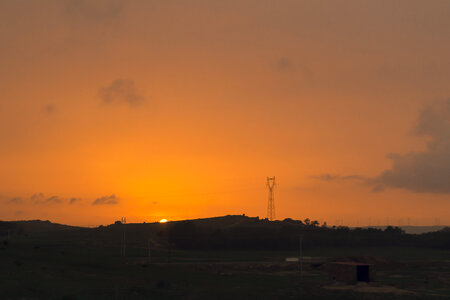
point(46, 268)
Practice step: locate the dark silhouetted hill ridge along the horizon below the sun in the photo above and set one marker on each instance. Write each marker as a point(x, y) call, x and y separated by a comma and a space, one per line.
point(236, 232)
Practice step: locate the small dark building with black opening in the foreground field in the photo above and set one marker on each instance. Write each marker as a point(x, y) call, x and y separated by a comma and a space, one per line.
point(351, 272)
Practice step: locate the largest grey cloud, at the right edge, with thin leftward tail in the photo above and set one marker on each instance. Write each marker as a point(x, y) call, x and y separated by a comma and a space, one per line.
point(420, 172)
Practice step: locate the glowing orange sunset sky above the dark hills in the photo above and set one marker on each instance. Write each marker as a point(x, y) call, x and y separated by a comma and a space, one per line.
point(181, 109)
